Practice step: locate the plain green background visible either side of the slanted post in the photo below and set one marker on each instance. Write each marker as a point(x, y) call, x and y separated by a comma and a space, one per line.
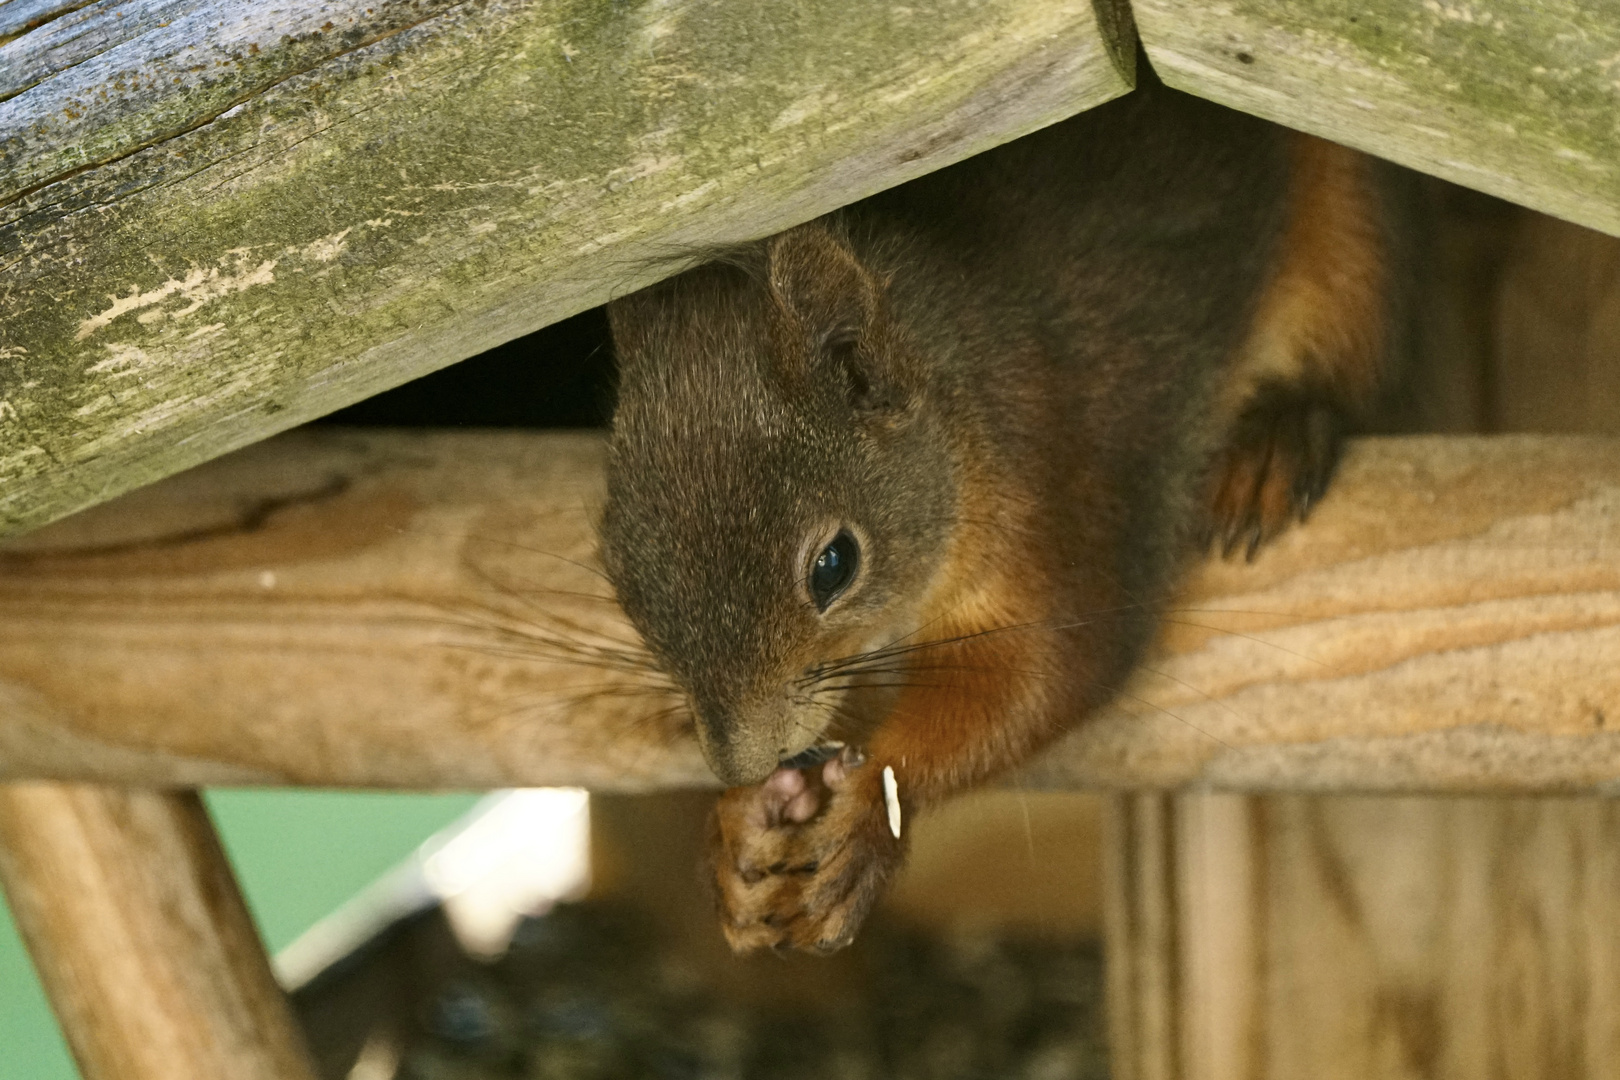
point(299, 856)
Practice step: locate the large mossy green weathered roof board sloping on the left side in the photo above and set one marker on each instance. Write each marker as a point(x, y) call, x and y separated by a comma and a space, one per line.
point(245, 216)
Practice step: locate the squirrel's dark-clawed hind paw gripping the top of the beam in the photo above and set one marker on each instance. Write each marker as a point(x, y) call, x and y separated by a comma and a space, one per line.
point(1276, 467)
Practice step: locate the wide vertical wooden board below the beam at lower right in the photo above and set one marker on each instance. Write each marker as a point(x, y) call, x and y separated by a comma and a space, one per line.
point(1363, 938)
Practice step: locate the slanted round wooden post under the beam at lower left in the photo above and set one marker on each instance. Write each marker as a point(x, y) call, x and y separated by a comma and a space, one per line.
point(142, 938)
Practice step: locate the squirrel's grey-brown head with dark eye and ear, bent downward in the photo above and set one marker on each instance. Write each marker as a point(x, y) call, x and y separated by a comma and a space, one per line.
point(780, 490)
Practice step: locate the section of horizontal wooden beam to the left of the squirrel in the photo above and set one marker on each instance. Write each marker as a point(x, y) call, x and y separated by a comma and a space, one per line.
point(403, 580)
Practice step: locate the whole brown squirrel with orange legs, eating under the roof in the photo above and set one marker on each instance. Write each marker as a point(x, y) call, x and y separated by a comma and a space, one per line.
point(897, 496)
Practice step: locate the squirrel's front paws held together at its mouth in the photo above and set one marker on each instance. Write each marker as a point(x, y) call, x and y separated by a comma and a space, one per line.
point(801, 859)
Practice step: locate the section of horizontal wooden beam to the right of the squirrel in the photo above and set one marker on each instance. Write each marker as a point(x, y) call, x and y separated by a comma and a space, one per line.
point(1449, 623)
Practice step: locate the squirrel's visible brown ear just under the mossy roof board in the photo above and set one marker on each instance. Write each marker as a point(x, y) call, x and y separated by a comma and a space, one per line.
point(835, 304)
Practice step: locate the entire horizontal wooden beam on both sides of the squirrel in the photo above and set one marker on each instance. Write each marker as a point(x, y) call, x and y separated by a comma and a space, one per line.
point(398, 610)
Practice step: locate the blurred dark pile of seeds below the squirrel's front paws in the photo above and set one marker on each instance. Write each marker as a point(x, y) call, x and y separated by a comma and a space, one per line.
point(590, 993)
